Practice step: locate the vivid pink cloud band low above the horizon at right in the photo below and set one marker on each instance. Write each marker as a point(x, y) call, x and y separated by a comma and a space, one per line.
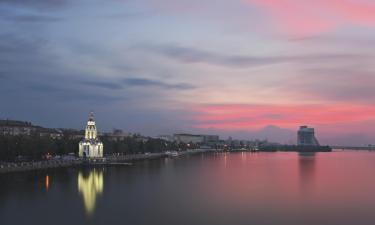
point(248, 117)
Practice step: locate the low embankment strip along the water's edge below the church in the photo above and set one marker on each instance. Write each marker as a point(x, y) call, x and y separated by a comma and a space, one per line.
point(107, 161)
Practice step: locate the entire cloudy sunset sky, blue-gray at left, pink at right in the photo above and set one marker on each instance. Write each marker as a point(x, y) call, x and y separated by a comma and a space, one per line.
point(242, 68)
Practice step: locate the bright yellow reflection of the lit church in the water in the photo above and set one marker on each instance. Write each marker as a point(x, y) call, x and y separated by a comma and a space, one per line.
point(90, 187)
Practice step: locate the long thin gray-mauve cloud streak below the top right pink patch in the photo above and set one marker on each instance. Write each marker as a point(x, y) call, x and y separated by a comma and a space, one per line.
point(193, 55)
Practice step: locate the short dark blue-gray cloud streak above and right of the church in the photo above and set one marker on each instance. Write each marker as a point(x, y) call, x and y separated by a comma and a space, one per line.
point(155, 83)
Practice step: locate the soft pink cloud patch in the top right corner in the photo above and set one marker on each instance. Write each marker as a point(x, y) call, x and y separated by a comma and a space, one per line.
point(308, 17)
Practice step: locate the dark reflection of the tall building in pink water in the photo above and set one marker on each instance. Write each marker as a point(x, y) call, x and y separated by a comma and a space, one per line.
point(307, 163)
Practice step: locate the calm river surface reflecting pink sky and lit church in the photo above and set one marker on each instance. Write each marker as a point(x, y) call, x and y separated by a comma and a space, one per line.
point(237, 188)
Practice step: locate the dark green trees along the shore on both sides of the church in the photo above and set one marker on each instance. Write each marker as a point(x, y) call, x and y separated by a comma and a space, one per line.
point(24, 148)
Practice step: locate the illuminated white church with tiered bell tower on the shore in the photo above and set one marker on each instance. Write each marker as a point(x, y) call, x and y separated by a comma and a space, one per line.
point(91, 146)
